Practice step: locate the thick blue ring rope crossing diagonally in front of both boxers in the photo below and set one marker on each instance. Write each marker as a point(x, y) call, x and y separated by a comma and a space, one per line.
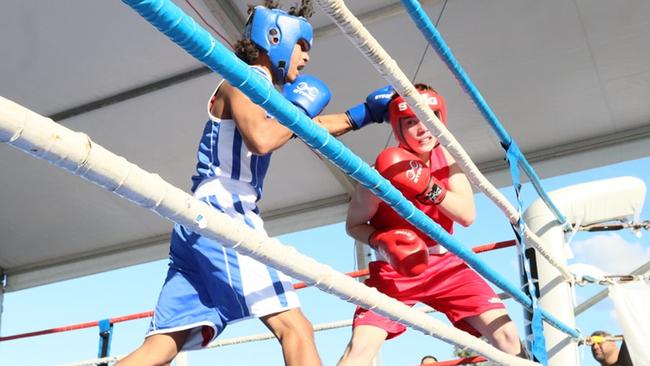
point(183, 30)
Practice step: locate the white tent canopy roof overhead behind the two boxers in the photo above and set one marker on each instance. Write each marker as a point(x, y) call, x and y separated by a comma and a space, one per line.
point(570, 81)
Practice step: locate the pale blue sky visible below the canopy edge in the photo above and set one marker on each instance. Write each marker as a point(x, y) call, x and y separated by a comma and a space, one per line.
point(135, 289)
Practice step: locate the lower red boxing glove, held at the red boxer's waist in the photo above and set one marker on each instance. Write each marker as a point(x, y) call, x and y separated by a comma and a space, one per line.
point(406, 252)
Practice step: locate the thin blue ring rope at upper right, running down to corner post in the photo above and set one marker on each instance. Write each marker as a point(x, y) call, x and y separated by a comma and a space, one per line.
point(434, 38)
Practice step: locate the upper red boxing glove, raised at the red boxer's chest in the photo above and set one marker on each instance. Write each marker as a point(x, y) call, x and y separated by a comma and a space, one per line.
point(410, 175)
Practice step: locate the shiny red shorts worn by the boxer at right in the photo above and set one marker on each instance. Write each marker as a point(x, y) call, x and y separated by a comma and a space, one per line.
point(447, 285)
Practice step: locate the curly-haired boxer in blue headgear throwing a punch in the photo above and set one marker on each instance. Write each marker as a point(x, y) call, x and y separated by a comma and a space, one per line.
point(209, 285)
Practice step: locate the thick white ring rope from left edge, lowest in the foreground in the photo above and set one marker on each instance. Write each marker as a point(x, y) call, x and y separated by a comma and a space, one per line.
point(74, 152)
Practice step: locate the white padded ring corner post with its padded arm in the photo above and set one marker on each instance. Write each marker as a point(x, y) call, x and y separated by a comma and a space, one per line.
point(588, 203)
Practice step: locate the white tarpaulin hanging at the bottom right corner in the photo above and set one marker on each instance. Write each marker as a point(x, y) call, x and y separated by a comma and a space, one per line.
point(631, 301)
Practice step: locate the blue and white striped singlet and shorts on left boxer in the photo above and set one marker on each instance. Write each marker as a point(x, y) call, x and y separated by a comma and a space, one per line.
point(209, 285)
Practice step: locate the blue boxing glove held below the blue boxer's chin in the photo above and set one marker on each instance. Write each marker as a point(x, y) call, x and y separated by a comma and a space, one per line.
point(308, 93)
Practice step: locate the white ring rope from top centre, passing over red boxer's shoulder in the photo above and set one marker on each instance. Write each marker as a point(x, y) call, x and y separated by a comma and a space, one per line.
point(391, 72)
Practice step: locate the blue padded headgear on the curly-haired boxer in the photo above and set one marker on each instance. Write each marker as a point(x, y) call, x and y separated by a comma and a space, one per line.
point(277, 32)
